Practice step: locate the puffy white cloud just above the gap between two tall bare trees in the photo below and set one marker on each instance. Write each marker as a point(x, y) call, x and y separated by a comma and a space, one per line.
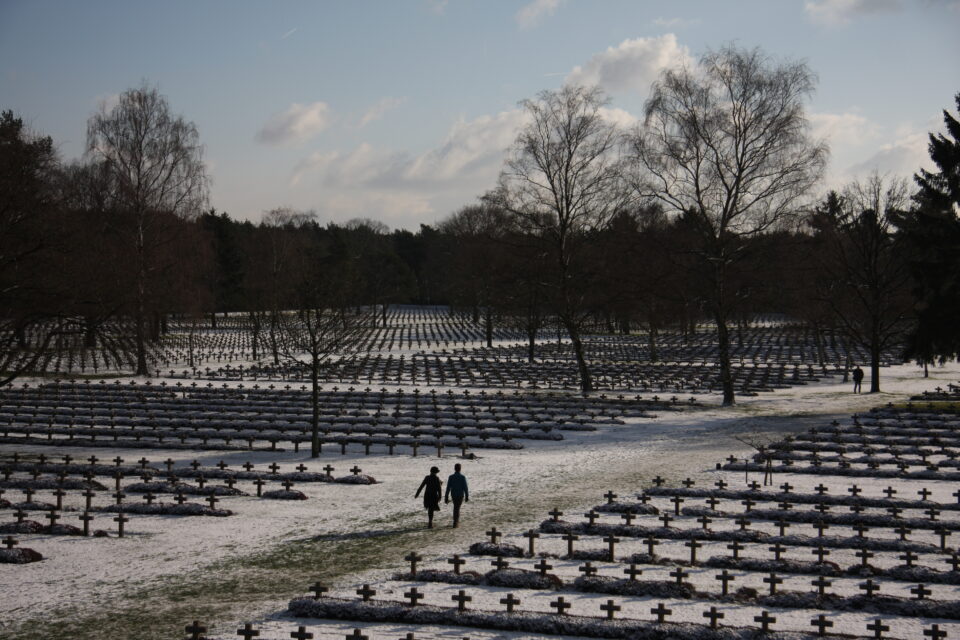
point(630, 66)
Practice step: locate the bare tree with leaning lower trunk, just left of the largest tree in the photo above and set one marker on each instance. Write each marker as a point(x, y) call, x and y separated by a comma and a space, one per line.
point(563, 181)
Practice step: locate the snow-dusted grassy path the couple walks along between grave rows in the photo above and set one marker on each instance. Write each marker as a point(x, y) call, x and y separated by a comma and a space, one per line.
point(249, 576)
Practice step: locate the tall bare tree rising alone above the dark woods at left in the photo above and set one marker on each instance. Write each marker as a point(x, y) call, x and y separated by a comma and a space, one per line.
point(155, 162)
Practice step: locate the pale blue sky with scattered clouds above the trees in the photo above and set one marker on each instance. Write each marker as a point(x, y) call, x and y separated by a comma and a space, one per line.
point(401, 110)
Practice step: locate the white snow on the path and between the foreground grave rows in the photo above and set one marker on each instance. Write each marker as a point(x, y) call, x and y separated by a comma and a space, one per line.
point(571, 474)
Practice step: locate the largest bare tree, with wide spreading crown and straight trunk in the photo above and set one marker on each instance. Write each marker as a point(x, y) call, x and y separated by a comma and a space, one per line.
point(727, 143)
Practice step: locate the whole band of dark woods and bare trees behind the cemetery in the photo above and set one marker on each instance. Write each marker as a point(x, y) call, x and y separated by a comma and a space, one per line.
point(703, 210)
